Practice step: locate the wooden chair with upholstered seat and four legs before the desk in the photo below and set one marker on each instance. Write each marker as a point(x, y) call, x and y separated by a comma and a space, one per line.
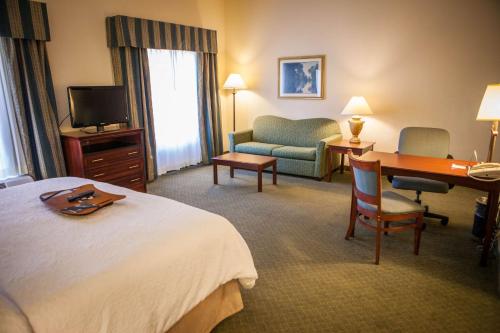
point(369, 204)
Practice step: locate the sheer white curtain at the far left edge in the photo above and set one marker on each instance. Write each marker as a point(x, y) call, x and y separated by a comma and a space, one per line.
point(12, 161)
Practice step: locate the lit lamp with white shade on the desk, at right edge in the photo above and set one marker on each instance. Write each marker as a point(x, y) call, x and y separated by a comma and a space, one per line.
point(490, 111)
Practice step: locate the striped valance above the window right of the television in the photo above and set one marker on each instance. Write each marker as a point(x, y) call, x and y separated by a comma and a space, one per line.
point(124, 31)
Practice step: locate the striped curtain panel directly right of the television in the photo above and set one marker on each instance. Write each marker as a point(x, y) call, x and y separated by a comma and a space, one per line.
point(131, 69)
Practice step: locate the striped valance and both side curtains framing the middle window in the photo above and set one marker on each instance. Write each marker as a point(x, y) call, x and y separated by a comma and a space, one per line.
point(129, 38)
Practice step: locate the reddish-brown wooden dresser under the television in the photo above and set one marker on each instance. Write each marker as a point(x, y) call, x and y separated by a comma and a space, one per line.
point(115, 157)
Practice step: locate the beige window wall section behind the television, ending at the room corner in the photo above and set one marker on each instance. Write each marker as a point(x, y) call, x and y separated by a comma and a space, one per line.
point(78, 53)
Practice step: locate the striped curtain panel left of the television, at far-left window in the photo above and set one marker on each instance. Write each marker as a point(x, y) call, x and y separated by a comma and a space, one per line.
point(28, 73)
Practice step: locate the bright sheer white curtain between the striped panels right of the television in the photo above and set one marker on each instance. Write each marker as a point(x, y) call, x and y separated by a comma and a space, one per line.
point(174, 89)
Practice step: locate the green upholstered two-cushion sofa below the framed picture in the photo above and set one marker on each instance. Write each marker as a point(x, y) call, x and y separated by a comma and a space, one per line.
point(299, 145)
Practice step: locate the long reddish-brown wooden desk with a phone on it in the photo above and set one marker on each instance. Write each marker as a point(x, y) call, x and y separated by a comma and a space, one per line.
point(441, 169)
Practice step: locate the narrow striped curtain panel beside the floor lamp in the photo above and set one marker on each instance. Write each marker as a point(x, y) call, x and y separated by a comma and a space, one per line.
point(209, 104)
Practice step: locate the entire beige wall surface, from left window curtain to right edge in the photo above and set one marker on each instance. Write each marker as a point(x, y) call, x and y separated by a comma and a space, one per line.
point(417, 62)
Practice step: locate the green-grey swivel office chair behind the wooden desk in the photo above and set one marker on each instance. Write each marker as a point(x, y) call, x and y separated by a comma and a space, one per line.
point(423, 141)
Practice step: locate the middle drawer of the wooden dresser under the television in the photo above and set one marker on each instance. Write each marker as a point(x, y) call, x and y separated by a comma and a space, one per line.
point(117, 170)
